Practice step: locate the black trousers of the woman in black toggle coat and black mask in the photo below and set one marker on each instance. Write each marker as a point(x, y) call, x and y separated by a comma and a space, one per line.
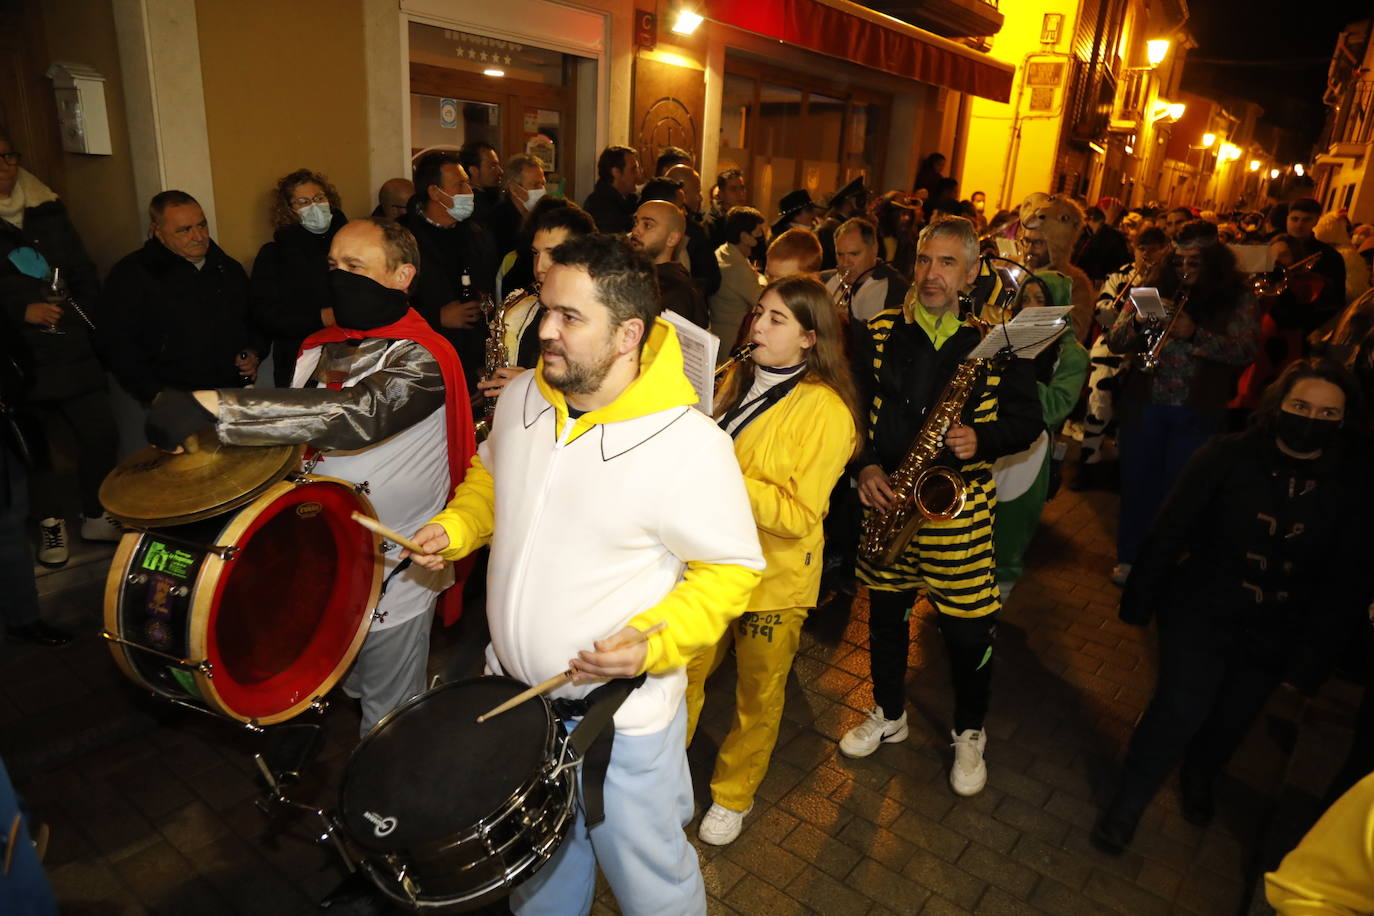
point(1214, 683)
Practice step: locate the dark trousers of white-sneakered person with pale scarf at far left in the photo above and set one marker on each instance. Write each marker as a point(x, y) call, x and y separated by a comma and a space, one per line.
point(91, 424)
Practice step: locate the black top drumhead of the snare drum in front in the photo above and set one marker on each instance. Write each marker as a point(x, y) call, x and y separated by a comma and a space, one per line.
point(431, 772)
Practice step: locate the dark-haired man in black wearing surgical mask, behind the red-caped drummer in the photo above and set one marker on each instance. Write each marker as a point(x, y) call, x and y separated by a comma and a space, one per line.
point(458, 259)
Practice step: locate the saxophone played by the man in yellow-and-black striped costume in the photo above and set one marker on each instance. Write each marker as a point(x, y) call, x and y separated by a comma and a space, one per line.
point(921, 490)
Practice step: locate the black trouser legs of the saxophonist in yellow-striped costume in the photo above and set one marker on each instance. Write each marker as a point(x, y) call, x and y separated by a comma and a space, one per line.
point(968, 643)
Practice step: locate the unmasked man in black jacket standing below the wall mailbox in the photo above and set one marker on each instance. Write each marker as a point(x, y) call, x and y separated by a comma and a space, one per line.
point(177, 311)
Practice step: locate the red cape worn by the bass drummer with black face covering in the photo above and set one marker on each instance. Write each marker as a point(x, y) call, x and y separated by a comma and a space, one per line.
point(458, 417)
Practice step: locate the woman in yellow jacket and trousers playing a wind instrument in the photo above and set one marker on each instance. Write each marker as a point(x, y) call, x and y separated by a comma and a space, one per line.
point(791, 410)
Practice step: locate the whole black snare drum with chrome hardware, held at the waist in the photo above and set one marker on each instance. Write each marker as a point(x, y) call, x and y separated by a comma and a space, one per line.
point(449, 812)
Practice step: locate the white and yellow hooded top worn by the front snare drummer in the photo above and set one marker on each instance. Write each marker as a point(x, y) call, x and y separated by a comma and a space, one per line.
point(634, 514)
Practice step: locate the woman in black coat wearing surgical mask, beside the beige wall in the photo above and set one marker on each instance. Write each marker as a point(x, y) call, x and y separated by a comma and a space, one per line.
point(291, 275)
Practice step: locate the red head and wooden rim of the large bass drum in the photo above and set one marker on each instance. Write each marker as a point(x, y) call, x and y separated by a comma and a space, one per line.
point(284, 619)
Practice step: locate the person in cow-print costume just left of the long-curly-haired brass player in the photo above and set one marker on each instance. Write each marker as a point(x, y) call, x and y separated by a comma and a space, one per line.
point(1152, 247)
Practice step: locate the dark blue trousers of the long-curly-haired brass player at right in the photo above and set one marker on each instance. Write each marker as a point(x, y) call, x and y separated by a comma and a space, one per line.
point(1155, 447)
